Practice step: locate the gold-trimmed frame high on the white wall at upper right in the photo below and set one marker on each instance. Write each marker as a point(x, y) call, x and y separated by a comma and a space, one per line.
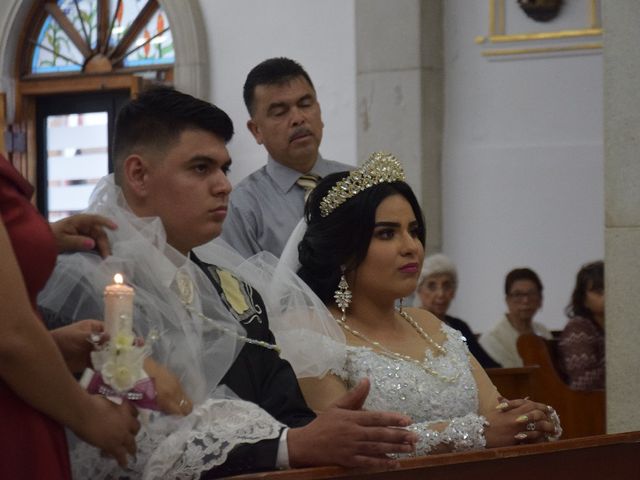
point(585, 37)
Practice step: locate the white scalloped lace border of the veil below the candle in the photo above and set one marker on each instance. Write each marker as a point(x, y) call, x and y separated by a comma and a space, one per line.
point(200, 442)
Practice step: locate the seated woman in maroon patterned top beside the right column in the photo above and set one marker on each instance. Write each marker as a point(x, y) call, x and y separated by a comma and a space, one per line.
point(581, 345)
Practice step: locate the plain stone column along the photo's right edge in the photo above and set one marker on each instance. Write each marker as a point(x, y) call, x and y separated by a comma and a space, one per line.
point(622, 212)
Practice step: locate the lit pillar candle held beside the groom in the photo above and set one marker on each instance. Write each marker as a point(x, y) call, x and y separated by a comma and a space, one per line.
point(118, 308)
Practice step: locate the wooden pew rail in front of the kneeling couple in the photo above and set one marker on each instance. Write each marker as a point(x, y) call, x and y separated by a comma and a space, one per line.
point(591, 458)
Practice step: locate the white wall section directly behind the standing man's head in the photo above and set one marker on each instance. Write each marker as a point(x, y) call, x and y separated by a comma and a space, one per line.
point(319, 35)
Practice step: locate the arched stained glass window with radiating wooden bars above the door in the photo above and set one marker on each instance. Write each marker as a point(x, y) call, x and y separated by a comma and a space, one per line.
point(101, 36)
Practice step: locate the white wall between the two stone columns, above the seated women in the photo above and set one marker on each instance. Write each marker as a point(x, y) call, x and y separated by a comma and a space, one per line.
point(522, 166)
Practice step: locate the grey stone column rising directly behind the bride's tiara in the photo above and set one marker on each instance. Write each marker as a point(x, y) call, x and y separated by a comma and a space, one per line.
point(401, 95)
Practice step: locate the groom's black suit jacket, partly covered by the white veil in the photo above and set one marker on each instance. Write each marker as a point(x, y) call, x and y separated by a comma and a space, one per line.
point(260, 376)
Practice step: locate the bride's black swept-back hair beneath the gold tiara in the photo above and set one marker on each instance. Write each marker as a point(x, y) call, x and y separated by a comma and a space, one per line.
point(343, 237)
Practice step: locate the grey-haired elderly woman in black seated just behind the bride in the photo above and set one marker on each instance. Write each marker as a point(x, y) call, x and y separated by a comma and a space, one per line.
point(436, 289)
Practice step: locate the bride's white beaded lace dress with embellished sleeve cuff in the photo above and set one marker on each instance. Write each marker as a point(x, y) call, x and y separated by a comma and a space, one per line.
point(443, 406)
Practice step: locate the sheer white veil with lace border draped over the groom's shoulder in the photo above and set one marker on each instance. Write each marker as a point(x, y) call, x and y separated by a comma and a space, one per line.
point(199, 349)
